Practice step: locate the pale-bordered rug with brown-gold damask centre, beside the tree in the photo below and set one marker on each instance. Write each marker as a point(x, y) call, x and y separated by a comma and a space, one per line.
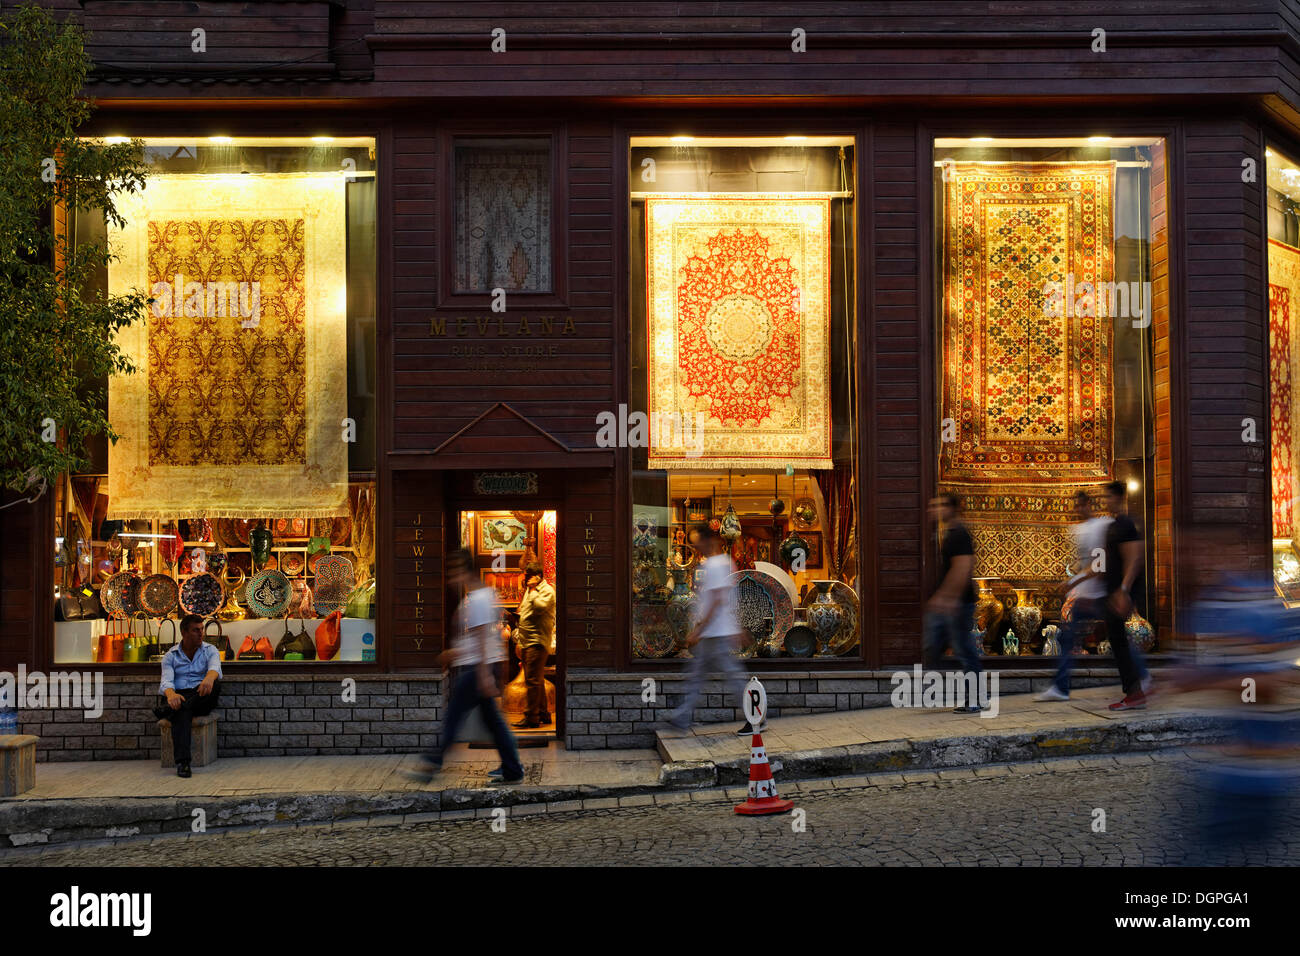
point(239, 403)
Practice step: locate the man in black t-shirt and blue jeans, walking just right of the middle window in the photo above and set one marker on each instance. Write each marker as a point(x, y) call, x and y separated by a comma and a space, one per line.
point(951, 613)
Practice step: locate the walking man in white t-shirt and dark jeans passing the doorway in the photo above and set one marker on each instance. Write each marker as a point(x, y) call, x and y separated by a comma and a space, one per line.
point(475, 652)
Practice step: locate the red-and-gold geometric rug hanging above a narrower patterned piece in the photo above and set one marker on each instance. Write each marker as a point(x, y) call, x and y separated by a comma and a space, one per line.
point(1026, 382)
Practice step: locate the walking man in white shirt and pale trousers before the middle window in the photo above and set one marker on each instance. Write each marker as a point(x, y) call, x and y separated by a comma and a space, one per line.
point(717, 633)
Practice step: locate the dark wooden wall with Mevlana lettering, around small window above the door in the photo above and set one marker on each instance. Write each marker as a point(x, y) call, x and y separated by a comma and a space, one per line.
point(439, 390)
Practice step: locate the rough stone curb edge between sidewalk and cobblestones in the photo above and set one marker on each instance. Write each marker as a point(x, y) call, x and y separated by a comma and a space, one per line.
point(46, 823)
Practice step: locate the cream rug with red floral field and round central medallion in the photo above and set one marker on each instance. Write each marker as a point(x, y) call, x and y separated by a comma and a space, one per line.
point(739, 331)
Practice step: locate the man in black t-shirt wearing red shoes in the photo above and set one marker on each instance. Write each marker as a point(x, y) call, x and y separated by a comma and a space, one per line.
point(1123, 574)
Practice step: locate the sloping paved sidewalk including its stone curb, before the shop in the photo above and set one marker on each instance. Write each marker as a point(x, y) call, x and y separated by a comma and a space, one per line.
point(123, 799)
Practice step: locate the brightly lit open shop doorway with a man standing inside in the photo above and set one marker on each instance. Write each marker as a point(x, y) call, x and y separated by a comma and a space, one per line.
point(517, 555)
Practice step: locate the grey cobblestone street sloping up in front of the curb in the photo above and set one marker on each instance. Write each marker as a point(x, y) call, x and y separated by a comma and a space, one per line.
point(1021, 815)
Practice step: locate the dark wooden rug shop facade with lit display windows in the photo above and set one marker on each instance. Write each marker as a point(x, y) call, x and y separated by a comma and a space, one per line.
point(558, 282)
